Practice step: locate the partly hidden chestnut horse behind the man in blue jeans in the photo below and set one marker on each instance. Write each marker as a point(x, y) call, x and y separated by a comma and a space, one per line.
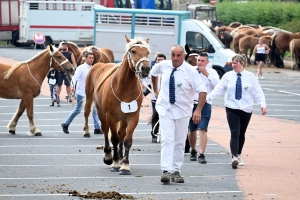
point(100, 54)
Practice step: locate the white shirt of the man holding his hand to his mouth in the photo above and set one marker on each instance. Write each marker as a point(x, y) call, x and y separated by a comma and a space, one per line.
point(210, 81)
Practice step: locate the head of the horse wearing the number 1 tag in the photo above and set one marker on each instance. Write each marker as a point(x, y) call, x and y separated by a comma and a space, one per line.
point(137, 55)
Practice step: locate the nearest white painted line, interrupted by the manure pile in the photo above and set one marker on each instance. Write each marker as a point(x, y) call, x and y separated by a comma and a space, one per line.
point(135, 193)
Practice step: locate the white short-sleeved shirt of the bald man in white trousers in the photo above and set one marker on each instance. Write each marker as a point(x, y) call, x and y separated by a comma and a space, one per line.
point(187, 82)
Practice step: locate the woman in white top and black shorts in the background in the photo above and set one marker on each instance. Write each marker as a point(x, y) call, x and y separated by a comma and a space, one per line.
point(260, 51)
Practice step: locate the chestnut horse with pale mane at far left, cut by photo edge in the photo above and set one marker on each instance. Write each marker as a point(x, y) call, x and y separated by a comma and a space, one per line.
point(23, 81)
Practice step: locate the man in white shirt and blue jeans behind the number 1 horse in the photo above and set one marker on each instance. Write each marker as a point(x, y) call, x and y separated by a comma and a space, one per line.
point(78, 81)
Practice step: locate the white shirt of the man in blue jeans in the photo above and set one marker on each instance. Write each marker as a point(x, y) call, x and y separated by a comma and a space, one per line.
point(80, 77)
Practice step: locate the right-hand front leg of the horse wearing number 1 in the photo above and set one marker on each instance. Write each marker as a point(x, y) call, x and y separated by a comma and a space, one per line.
point(125, 169)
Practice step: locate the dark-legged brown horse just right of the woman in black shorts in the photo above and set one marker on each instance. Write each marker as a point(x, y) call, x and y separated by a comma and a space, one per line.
point(280, 44)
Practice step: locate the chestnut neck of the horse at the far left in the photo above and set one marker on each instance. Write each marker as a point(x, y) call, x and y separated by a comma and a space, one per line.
point(39, 66)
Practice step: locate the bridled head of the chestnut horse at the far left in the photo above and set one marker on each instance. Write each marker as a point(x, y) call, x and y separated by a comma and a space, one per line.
point(59, 61)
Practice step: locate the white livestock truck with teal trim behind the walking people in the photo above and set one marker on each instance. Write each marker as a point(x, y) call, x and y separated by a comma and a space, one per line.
point(163, 28)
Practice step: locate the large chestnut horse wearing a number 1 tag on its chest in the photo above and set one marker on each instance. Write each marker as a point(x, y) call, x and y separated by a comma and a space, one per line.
point(116, 92)
